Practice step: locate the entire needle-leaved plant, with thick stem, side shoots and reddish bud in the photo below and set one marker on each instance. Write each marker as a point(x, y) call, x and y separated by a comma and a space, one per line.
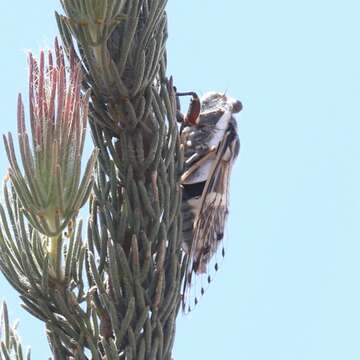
point(110, 289)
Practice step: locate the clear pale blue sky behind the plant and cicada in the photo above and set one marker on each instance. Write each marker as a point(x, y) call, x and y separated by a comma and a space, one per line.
point(289, 286)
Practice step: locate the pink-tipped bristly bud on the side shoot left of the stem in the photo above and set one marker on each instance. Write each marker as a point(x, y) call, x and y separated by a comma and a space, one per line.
point(49, 184)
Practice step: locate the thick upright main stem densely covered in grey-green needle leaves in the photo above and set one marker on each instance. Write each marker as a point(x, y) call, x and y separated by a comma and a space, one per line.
point(134, 228)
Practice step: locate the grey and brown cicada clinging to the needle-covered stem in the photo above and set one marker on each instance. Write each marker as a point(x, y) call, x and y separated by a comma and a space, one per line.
point(211, 144)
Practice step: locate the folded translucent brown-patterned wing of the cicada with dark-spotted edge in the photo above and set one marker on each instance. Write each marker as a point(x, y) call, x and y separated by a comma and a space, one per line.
point(210, 222)
